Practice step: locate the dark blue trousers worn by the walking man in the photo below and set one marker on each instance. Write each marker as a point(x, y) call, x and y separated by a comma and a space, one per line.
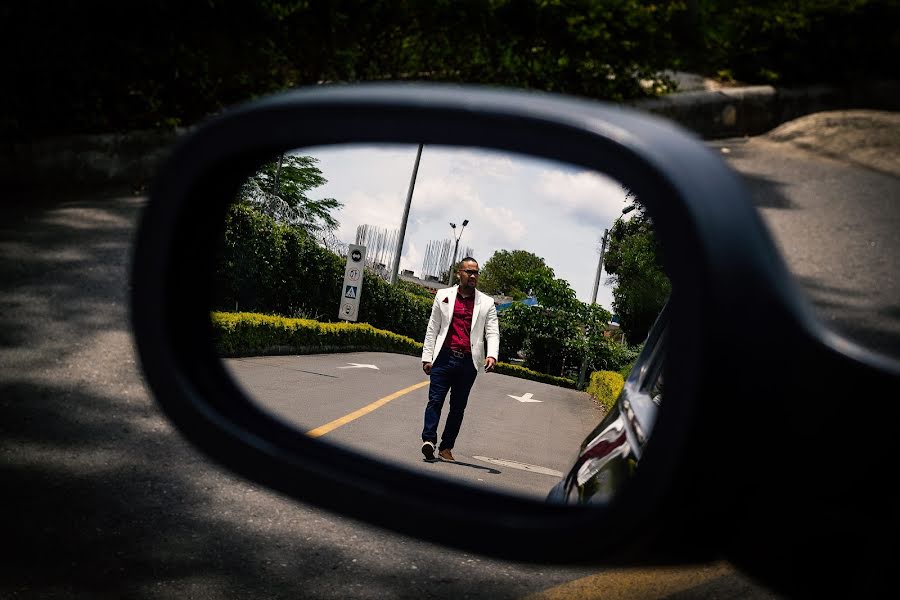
point(454, 375)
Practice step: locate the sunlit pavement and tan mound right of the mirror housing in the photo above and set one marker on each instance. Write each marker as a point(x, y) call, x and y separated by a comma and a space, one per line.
point(835, 220)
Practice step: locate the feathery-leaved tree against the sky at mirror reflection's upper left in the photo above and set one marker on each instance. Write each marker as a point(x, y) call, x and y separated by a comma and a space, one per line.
point(279, 189)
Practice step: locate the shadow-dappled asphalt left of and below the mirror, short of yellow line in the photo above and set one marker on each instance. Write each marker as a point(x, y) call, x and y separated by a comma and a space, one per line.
point(102, 498)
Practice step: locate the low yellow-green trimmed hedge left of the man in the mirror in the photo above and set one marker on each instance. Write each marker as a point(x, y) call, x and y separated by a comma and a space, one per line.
point(244, 334)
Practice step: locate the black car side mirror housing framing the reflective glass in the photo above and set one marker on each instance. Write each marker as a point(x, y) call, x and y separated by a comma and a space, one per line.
point(718, 257)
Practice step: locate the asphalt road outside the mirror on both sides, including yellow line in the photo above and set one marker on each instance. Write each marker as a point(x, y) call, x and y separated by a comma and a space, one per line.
point(103, 499)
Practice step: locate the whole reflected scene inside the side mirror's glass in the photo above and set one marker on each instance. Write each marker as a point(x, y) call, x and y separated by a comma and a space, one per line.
point(322, 321)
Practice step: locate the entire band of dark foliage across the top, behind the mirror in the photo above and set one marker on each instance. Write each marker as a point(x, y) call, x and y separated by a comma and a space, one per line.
point(121, 77)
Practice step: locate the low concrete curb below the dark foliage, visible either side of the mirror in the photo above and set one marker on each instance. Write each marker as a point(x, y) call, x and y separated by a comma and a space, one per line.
point(131, 159)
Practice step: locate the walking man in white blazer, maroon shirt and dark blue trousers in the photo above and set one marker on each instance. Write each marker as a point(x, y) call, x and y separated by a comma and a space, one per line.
point(462, 319)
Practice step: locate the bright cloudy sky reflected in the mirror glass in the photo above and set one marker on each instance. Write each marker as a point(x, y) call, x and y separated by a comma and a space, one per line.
point(512, 202)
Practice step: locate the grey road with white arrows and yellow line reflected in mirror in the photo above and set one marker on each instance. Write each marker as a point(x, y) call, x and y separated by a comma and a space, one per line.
point(373, 403)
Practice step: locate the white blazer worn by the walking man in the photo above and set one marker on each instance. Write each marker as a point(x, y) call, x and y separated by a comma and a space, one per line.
point(485, 326)
